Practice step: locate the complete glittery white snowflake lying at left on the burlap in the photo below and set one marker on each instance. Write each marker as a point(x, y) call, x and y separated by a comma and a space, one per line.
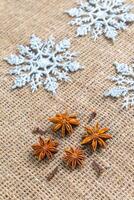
point(42, 63)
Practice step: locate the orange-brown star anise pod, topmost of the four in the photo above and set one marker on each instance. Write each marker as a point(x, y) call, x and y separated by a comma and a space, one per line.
point(65, 122)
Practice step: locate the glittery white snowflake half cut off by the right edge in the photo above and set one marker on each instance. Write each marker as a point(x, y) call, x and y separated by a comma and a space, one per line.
point(124, 84)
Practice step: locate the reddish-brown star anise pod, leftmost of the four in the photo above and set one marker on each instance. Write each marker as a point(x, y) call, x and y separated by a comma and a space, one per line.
point(45, 148)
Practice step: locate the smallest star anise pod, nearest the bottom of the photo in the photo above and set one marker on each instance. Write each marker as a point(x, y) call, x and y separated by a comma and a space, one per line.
point(74, 157)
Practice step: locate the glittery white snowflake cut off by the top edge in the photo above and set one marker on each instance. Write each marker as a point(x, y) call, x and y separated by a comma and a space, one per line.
point(99, 17)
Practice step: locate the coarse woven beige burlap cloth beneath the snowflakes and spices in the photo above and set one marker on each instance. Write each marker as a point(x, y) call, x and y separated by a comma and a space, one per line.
point(23, 177)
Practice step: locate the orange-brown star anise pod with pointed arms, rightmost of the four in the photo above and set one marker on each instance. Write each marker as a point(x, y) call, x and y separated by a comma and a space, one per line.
point(96, 136)
